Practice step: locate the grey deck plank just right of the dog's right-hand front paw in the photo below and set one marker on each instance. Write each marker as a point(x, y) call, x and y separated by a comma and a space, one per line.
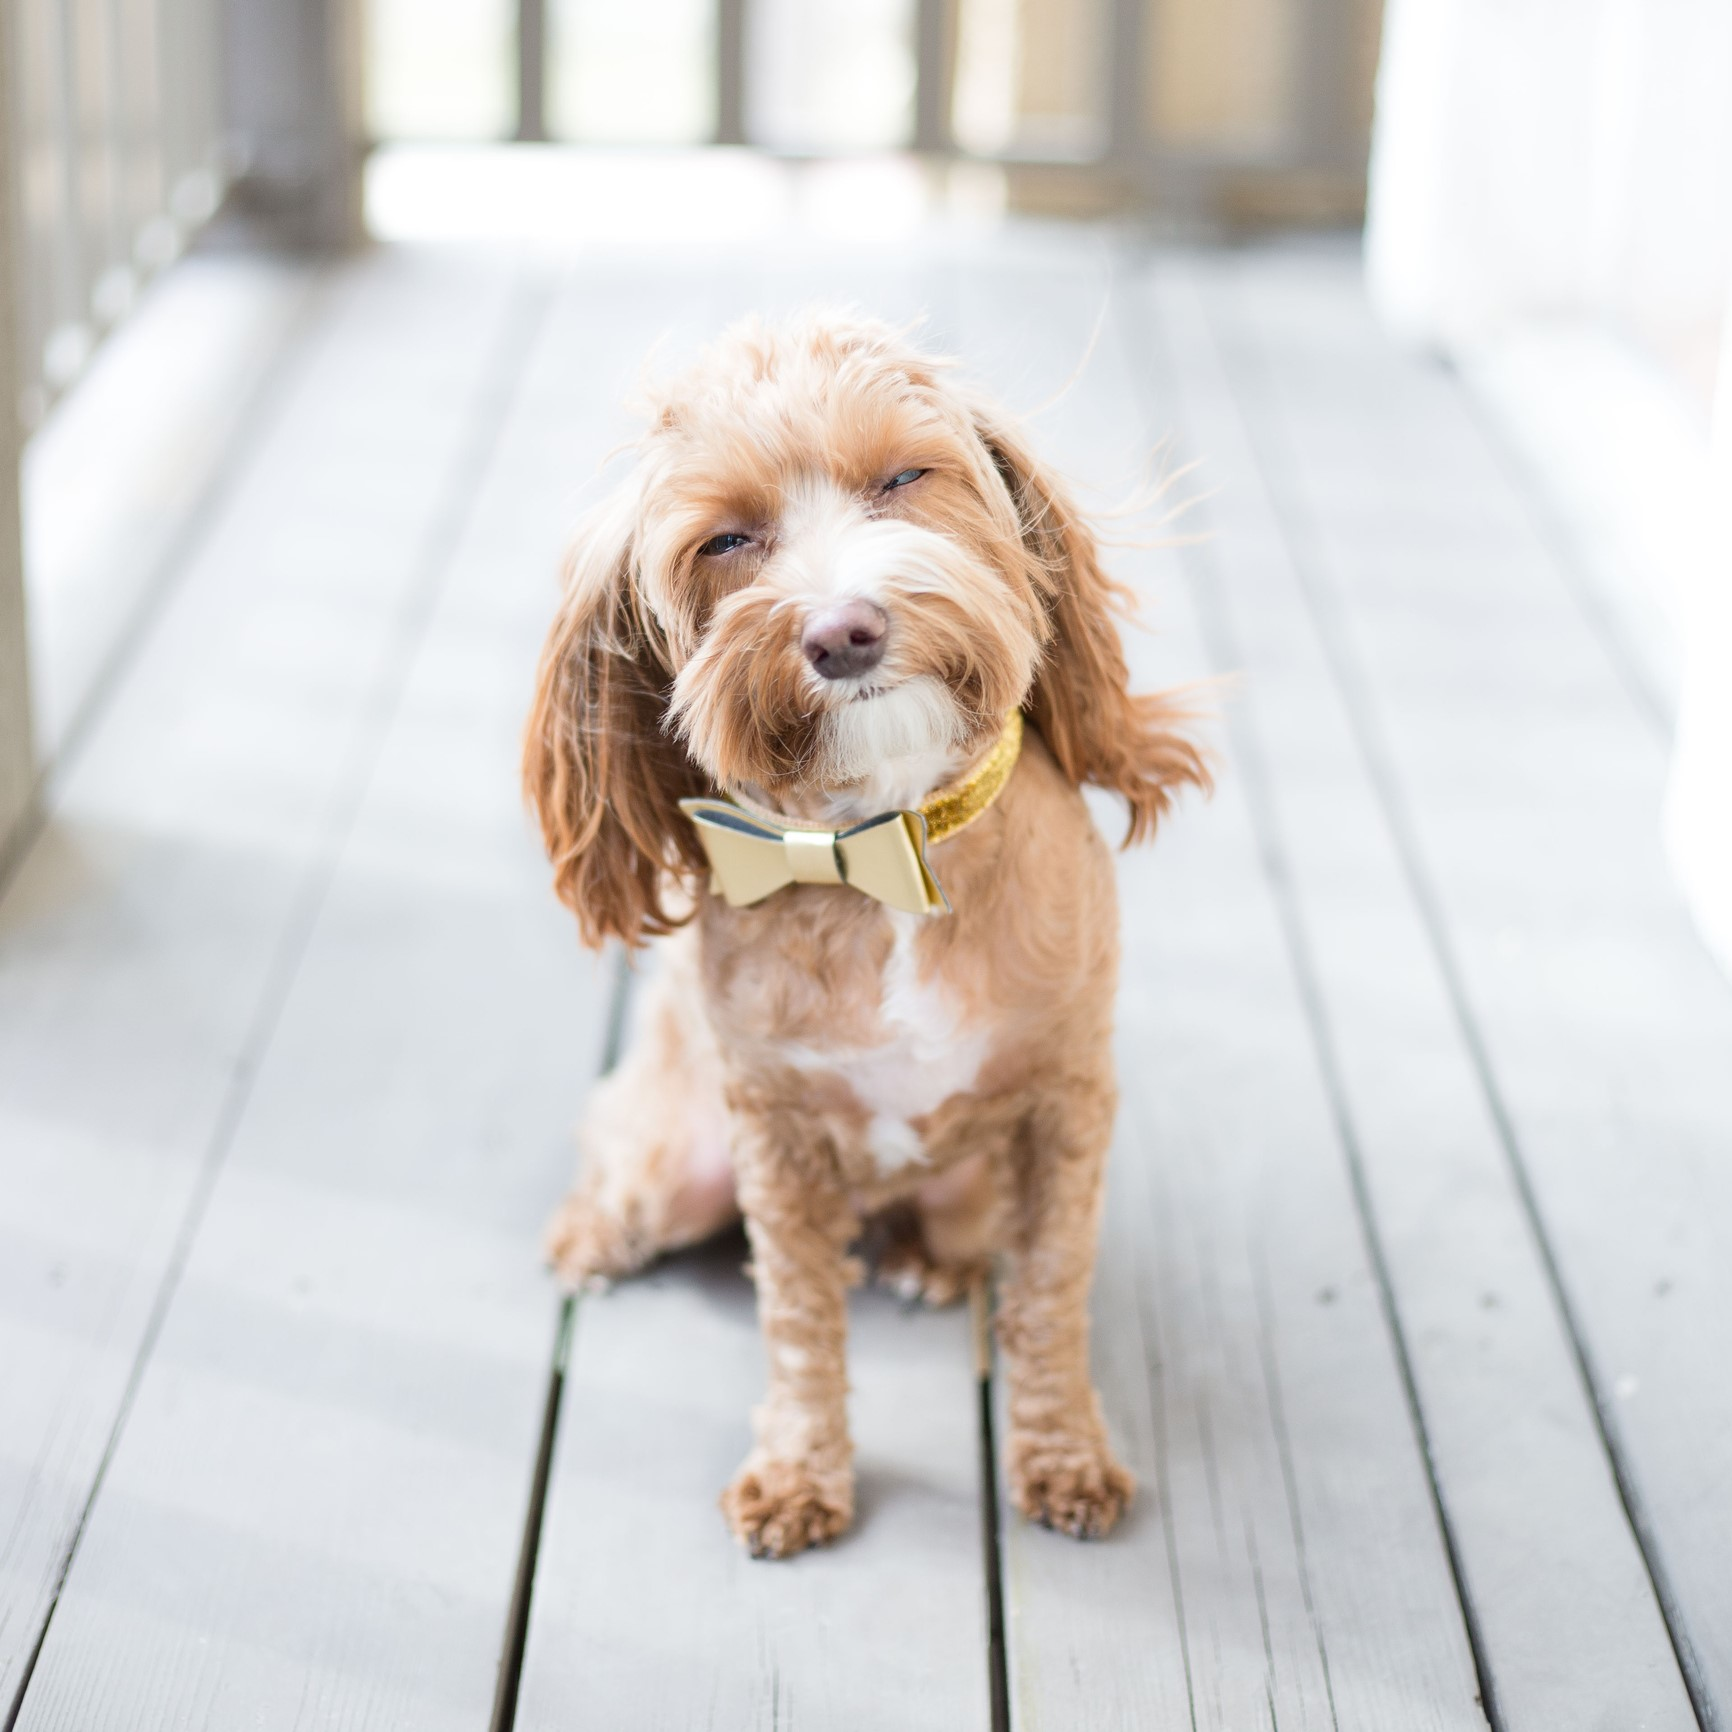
point(1284, 1565)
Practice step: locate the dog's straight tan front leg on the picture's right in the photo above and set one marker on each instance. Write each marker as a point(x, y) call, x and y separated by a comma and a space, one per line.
point(1061, 1468)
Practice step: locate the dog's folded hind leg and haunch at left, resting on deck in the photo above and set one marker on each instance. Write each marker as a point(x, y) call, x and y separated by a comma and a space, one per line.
point(656, 1172)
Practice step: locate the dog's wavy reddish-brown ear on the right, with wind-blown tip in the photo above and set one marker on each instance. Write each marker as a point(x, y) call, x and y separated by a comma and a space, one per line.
point(1095, 727)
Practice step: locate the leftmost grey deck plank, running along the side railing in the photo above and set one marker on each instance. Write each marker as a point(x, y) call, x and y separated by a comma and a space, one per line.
point(145, 940)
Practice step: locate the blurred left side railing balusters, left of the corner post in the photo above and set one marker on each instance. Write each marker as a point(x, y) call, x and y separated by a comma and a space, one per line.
point(119, 158)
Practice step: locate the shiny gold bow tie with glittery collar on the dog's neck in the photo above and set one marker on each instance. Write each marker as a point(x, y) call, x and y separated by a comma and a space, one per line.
point(754, 853)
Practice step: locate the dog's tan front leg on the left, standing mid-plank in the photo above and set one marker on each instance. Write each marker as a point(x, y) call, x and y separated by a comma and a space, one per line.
point(798, 1485)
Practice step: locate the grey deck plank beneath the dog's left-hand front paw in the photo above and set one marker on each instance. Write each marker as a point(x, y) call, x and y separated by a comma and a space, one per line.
point(647, 1613)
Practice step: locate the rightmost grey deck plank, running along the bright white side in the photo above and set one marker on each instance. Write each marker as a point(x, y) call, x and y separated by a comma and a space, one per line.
point(1530, 791)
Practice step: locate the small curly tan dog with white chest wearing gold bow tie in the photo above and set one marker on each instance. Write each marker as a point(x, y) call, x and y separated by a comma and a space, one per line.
point(817, 709)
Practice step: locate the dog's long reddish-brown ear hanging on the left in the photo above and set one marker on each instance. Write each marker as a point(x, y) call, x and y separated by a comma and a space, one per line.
point(598, 768)
